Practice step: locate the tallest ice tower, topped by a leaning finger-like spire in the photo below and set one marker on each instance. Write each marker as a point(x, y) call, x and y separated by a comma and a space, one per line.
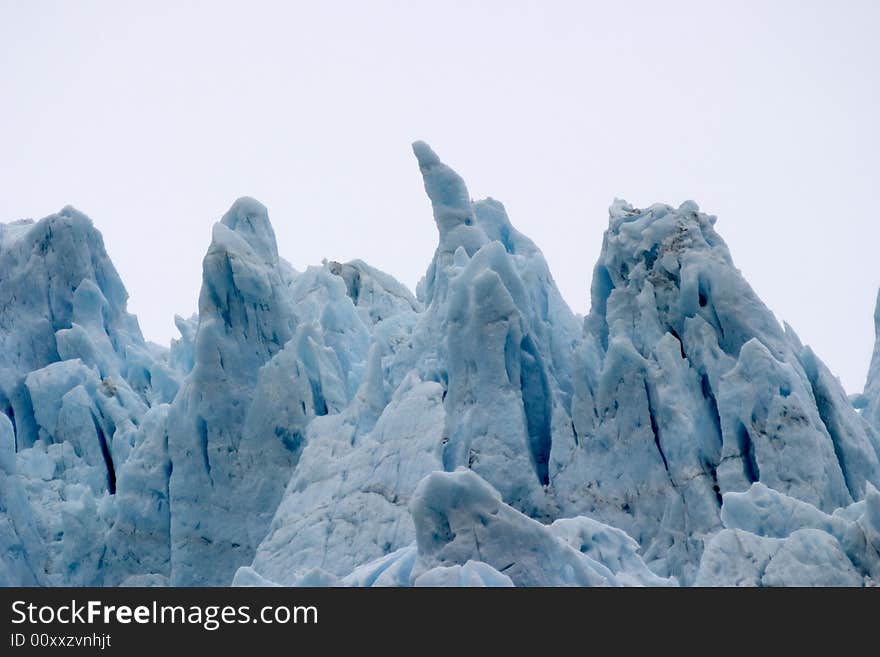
point(498, 336)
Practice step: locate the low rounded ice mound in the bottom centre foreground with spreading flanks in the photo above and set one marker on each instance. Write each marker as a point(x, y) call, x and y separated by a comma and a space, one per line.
point(466, 536)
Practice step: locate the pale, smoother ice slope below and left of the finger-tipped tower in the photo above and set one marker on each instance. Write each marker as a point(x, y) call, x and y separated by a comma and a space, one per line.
point(346, 475)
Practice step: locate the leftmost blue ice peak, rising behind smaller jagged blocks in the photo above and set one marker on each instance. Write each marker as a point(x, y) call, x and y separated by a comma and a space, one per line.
point(62, 299)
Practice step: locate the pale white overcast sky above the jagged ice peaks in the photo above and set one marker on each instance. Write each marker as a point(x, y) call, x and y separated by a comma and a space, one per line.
point(152, 117)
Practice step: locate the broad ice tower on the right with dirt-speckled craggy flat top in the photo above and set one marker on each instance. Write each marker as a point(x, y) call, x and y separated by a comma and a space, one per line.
point(689, 389)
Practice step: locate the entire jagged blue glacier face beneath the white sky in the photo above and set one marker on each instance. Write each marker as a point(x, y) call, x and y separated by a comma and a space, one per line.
point(327, 427)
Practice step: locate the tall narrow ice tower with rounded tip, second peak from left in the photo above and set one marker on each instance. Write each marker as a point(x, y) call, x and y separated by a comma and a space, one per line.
point(223, 488)
